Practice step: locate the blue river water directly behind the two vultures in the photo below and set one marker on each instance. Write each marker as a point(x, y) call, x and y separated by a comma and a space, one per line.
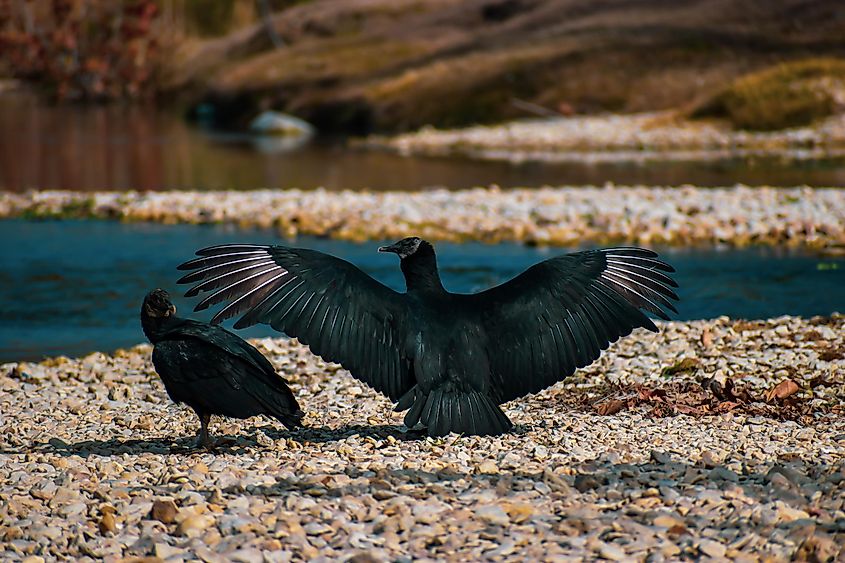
point(73, 287)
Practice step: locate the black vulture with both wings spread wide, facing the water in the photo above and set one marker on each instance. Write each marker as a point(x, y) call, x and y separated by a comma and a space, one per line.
point(449, 358)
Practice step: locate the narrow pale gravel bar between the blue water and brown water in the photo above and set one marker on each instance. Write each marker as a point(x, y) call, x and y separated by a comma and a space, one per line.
point(813, 217)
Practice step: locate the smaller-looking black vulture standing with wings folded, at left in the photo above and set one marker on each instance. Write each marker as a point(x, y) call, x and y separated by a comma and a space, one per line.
point(212, 370)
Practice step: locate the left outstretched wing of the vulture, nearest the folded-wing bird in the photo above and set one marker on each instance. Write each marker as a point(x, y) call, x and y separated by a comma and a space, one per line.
point(343, 314)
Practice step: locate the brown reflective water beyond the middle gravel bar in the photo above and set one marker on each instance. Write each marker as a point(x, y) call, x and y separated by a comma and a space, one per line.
point(136, 147)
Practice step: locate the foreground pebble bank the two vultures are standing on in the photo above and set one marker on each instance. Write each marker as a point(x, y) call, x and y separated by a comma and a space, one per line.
point(94, 462)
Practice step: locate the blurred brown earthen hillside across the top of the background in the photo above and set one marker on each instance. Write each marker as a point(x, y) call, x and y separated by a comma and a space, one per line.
point(386, 65)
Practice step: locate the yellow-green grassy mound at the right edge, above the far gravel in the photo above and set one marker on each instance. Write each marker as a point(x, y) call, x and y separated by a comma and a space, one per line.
point(791, 94)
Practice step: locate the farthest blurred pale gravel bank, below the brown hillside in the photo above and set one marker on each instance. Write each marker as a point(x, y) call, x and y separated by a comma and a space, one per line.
point(618, 137)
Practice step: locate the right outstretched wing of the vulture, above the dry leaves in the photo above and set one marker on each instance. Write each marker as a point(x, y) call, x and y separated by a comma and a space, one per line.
point(560, 314)
